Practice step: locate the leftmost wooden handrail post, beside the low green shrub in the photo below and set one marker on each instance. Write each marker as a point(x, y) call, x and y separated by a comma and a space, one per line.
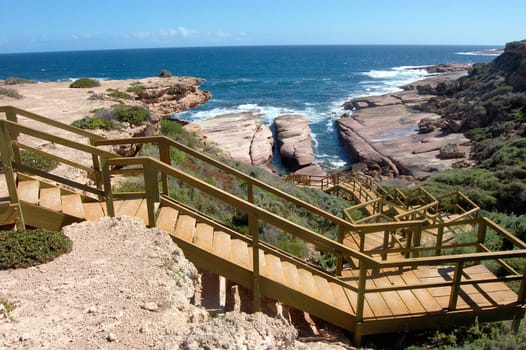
point(7, 156)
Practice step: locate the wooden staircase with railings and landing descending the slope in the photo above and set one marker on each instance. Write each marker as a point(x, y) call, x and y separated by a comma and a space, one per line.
point(395, 283)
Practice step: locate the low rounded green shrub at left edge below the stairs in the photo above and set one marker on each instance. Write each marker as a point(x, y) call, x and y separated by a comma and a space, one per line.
point(19, 249)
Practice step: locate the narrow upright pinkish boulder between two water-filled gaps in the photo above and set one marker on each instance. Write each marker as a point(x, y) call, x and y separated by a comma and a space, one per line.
point(294, 141)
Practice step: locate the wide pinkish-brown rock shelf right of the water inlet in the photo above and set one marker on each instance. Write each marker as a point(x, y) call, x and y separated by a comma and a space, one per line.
point(389, 136)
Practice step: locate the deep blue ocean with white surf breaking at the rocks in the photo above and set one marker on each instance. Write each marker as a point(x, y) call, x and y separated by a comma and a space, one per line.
point(313, 81)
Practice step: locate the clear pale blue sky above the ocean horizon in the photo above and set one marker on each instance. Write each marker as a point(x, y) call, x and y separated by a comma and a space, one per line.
point(56, 25)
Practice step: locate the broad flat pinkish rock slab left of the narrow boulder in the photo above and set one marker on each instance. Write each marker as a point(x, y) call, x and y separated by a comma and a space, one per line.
point(241, 136)
